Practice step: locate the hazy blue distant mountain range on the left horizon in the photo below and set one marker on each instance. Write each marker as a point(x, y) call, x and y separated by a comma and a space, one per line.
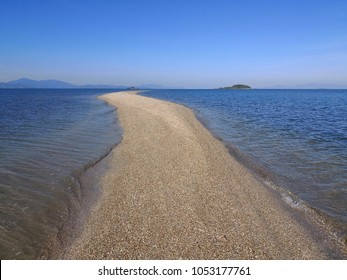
point(28, 83)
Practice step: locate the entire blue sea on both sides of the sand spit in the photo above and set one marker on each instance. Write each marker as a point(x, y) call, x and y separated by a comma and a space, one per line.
point(294, 140)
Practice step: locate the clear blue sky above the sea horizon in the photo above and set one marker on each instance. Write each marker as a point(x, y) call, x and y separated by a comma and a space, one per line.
point(184, 44)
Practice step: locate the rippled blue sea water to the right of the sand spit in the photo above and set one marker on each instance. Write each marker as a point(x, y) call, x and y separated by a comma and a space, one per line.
point(299, 137)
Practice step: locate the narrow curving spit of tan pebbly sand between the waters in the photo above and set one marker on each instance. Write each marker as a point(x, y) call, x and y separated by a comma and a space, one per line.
point(172, 191)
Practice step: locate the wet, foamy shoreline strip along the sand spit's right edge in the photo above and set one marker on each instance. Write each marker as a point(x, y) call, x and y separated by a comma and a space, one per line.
point(320, 225)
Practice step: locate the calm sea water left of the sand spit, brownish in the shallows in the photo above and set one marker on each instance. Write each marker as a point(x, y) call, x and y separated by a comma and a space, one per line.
point(47, 139)
